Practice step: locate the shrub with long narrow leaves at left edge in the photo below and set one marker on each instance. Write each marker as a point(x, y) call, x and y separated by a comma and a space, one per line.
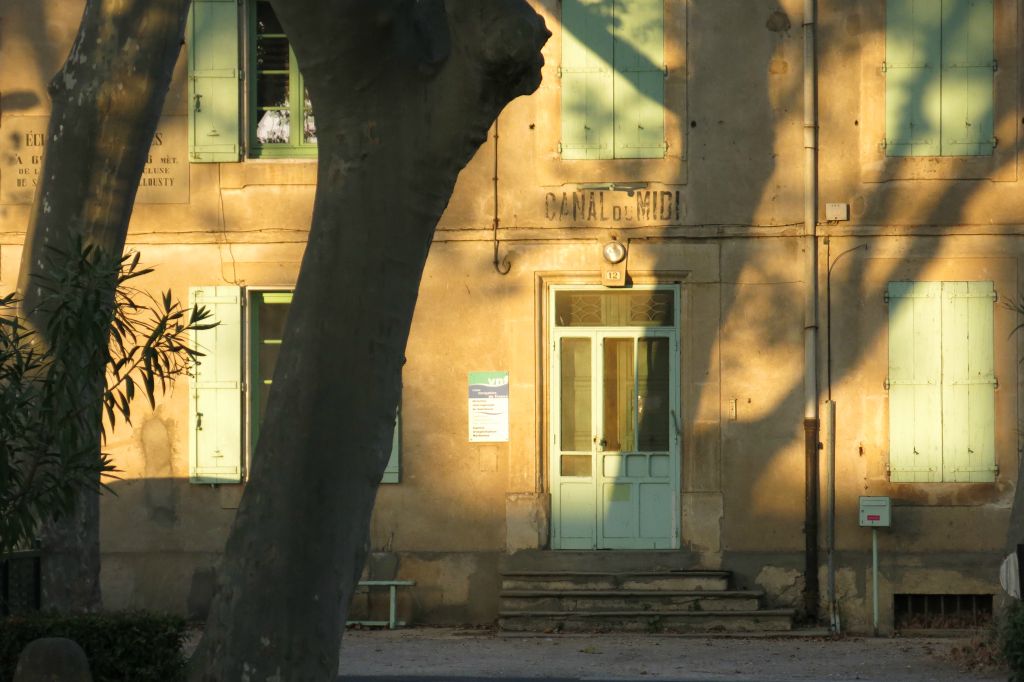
point(52, 429)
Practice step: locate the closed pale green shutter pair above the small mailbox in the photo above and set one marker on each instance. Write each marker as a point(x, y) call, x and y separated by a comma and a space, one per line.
point(942, 382)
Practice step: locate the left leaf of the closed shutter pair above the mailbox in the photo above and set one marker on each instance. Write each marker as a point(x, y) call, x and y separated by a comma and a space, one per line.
point(915, 381)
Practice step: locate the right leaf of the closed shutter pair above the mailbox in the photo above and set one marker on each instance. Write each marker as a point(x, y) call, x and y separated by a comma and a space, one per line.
point(968, 382)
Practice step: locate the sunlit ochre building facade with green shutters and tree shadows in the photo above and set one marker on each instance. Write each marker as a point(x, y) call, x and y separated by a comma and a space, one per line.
point(873, 239)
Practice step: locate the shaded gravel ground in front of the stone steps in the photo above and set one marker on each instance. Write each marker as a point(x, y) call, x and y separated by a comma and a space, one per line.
point(447, 654)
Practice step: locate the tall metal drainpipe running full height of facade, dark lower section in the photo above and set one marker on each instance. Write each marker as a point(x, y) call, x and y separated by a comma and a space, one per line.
point(812, 422)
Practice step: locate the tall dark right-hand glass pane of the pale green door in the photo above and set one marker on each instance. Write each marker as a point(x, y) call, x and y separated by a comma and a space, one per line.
point(654, 396)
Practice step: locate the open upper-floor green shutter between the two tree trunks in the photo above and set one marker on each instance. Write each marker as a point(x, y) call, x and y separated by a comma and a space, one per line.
point(214, 81)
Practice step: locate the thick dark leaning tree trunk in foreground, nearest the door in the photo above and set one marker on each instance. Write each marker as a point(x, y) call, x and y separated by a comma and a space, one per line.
point(405, 93)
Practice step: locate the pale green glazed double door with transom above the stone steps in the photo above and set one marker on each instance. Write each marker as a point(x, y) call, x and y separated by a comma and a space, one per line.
point(616, 420)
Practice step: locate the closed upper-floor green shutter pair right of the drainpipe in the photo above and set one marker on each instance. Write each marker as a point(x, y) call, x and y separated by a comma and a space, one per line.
point(938, 68)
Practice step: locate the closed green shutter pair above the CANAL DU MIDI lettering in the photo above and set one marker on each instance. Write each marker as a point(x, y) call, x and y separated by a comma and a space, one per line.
point(613, 79)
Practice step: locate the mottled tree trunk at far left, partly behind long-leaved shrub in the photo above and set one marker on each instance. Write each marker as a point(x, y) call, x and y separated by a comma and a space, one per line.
point(107, 101)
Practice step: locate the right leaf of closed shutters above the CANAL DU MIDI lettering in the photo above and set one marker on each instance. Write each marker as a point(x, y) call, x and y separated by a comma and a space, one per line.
point(639, 79)
